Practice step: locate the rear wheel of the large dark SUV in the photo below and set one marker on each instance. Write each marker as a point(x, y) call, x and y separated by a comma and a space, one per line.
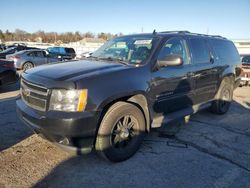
point(223, 100)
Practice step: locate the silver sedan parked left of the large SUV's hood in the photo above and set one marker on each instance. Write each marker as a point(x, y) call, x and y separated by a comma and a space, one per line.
point(27, 59)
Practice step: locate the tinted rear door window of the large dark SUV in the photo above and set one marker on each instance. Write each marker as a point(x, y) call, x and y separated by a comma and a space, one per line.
point(199, 50)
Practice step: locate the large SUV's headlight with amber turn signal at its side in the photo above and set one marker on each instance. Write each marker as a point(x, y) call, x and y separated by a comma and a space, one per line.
point(68, 100)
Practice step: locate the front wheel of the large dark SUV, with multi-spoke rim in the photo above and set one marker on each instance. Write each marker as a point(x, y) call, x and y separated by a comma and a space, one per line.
point(115, 140)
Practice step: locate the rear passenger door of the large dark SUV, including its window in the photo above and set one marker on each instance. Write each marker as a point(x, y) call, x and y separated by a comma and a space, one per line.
point(206, 74)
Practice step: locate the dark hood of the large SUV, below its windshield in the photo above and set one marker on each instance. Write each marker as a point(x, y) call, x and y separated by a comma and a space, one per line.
point(74, 70)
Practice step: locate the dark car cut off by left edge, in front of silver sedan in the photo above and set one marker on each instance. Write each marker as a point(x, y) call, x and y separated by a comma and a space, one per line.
point(8, 72)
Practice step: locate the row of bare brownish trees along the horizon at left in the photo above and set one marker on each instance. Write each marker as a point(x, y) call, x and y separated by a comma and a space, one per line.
point(51, 37)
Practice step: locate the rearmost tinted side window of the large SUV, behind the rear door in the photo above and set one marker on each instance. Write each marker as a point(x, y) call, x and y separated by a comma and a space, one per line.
point(225, 50)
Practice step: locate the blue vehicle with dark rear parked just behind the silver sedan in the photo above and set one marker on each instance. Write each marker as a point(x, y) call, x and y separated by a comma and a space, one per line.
point(64, 53)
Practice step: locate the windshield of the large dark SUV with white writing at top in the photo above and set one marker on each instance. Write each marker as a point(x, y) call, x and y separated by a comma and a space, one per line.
point(129, 49)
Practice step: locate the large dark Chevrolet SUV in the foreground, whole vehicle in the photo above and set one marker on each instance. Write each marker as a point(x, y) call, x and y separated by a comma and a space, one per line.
point(109, 101)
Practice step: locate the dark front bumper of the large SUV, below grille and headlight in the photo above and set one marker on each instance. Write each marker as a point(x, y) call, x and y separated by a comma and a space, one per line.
point(74, 132)
